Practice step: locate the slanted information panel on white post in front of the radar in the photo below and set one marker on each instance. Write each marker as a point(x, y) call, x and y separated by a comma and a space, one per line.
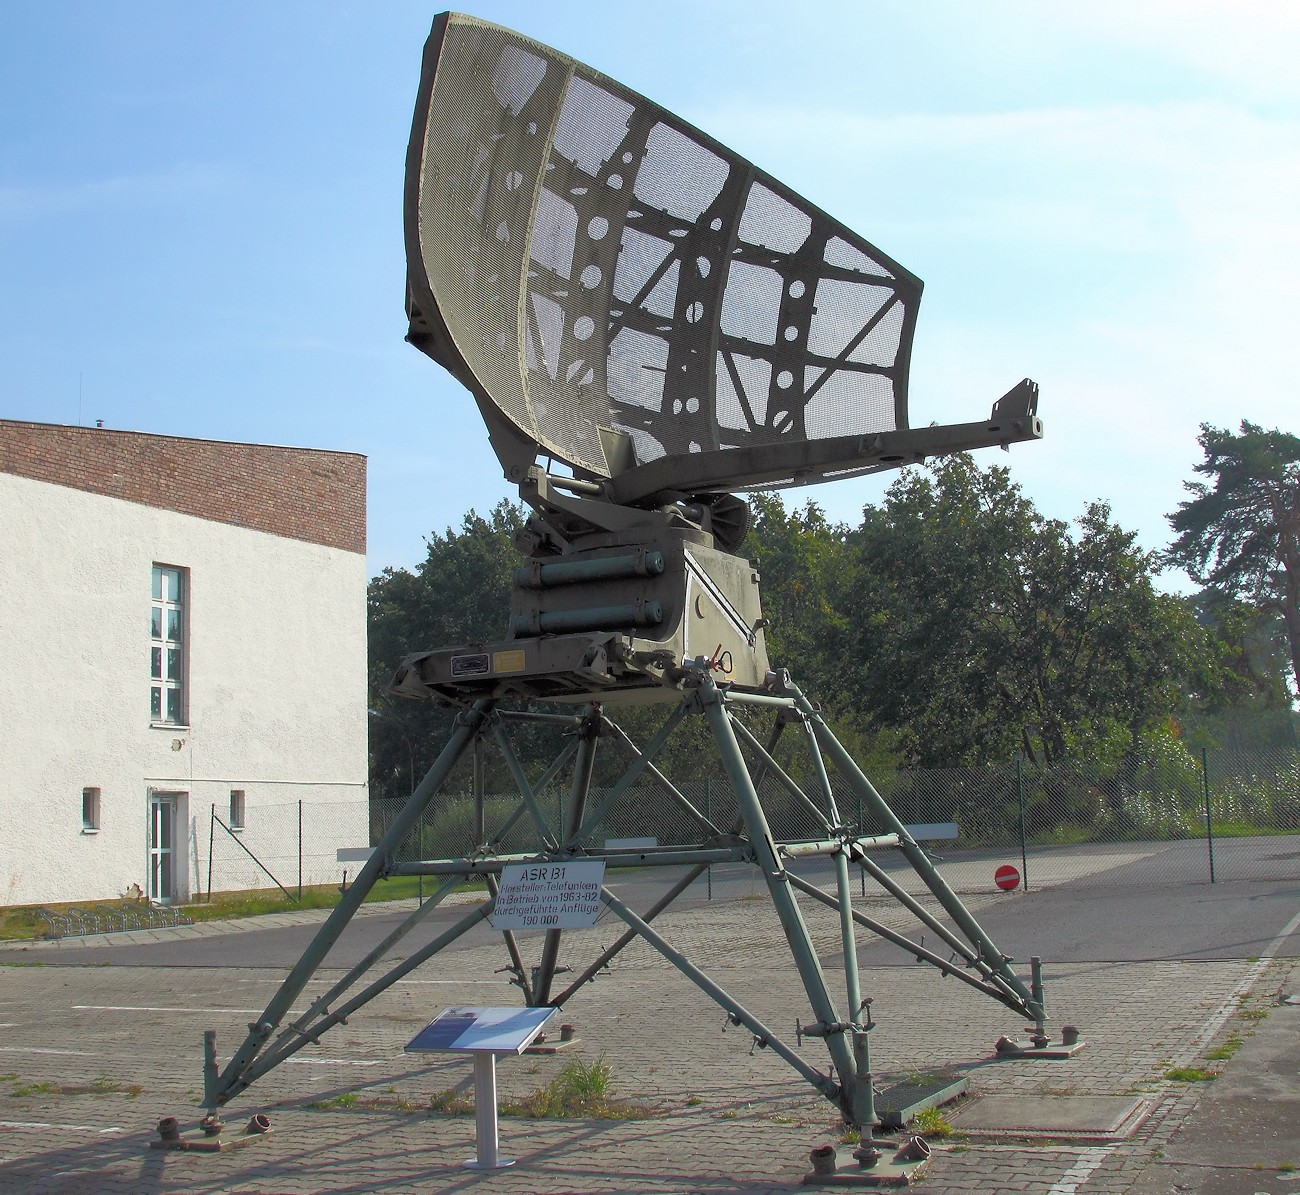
point(484, 1033)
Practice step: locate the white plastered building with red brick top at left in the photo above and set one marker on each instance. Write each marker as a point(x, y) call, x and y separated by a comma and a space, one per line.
point(183, 655)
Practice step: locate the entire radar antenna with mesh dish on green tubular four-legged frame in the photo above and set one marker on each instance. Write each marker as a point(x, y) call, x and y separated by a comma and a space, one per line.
point(649, 326)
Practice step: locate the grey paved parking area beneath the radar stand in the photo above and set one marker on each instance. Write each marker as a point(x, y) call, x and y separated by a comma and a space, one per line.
point(93, 1057)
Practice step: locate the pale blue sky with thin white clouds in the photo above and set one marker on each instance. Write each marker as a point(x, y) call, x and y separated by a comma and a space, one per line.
point(201, 219)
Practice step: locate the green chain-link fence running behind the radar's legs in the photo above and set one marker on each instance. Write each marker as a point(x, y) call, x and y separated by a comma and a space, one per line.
point(1165, 817)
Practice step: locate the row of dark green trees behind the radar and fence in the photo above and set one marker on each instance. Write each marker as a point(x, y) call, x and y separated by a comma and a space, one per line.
point(955, 625)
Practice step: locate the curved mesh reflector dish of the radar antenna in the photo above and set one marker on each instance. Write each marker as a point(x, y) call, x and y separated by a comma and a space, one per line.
point(600, 265)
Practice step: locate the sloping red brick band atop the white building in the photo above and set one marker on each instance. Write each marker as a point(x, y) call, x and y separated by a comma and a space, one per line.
point(300, 493)
